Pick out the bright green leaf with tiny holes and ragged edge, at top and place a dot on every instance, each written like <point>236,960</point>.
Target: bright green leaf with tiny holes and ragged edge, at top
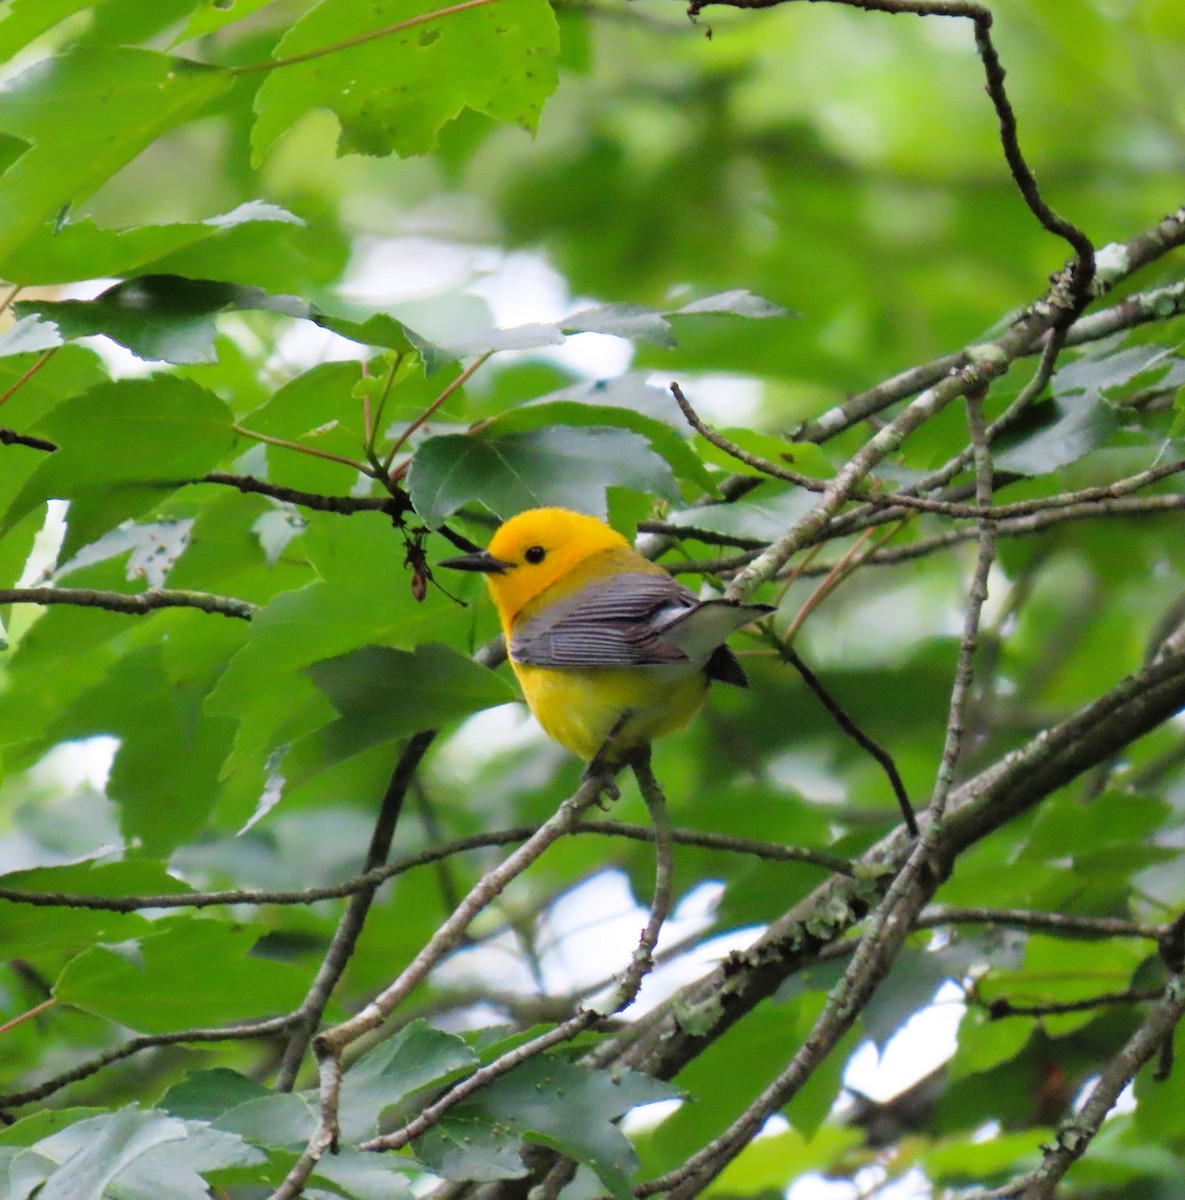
<point>396,93</point>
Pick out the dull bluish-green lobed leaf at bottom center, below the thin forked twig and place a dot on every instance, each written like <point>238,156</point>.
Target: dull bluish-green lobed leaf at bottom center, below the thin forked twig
<point>550,1102</point>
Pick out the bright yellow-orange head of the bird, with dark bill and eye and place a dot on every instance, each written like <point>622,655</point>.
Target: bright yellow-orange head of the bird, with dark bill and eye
<point>532,551</point>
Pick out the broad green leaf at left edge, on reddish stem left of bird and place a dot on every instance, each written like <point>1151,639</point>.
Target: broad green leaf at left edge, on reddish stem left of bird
<point>122,447</point>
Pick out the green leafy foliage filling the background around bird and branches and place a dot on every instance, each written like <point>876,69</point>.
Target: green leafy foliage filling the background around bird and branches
<point>777,208</point>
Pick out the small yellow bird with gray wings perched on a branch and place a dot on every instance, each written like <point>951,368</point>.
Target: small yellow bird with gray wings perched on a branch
<point>603,641</point>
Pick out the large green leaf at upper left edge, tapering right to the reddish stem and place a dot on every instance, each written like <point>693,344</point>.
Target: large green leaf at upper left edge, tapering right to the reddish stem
<point>85,116</point>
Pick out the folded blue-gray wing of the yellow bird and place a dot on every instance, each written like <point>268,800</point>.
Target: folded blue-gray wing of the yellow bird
<point>617,623</point>
